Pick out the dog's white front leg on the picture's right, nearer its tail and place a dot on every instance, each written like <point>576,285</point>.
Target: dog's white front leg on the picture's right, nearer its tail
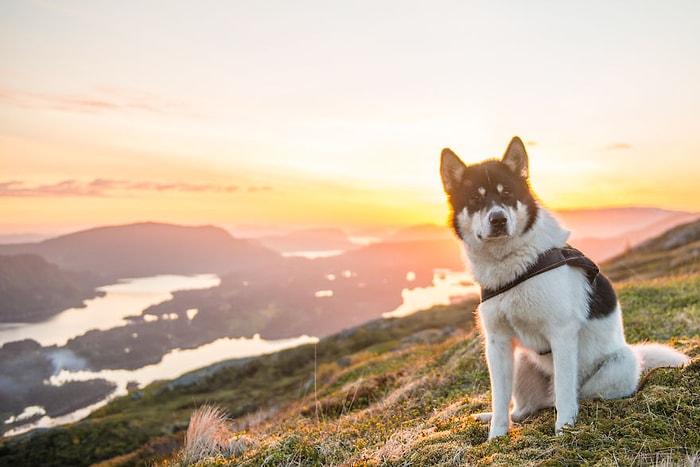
<point>565,355</point>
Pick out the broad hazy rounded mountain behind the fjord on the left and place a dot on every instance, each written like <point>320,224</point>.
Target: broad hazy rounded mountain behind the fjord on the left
<point>147,249</point>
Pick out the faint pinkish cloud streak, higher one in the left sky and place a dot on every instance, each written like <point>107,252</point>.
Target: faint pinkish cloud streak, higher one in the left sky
<point>99,101</point>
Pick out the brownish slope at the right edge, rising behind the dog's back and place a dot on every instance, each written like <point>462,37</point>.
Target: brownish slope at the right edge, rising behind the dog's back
<point>677,251</point>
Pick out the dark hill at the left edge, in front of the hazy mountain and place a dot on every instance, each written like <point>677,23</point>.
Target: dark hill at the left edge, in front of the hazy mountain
<point>32,289</point>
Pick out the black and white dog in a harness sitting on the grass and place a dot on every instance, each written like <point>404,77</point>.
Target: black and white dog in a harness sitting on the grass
<point>551,322</point>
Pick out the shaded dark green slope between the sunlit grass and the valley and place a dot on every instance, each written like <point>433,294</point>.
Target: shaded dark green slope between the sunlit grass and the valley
<point>150,423</point>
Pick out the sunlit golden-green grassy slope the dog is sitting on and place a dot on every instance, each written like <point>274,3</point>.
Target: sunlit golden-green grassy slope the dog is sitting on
<point>409,403</point>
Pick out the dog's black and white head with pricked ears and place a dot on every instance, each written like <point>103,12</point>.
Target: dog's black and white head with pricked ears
<point>491,201</point>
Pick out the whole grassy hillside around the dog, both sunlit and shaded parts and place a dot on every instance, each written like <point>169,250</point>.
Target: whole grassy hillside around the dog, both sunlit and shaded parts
<point>391,393</point>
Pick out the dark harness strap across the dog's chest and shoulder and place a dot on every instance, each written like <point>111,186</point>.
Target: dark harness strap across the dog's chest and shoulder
<point>550,259</point>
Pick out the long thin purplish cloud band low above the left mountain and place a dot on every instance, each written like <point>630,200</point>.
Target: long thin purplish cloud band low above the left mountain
<point>102,187</point>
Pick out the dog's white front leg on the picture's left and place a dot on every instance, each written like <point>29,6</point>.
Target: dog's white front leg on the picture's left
<point>499,356</point>
